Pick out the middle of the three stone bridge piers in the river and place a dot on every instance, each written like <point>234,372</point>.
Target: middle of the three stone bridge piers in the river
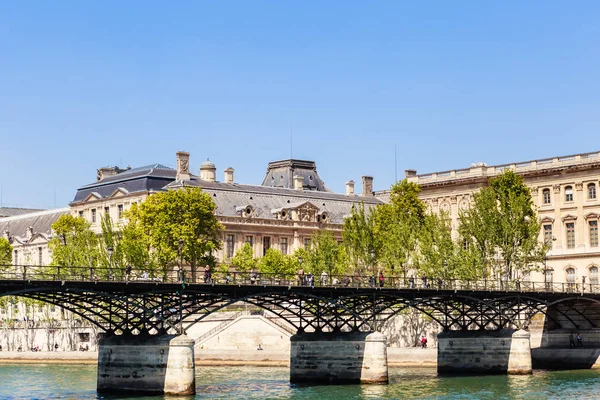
<point>339,358</point>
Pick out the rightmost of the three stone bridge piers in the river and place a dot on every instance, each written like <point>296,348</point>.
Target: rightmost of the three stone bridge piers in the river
<point>505,351</point>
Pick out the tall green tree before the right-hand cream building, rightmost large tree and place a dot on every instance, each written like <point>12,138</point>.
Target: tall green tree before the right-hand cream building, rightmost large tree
<point>502,227</point>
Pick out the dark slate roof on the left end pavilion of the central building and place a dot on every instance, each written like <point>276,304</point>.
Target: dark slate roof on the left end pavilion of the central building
<point>149,178</point>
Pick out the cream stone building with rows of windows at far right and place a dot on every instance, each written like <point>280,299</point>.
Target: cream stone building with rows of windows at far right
<point>565,194</point>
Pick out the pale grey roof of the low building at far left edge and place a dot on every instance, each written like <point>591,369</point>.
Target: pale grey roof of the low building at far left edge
<point>41,222</point>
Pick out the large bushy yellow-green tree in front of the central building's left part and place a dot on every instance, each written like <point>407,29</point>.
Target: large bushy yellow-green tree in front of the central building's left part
<point>166,218</point>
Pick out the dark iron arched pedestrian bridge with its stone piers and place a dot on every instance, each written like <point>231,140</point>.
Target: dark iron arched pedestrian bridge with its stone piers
<point>337,318</point>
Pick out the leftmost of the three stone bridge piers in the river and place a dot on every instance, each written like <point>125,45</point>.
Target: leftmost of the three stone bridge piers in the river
<point>147,364</point>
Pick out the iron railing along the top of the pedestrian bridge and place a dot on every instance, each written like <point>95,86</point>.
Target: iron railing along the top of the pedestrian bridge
<point>98,275</point>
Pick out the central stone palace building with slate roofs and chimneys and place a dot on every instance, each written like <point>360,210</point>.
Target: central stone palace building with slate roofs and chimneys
<point>282,213</point>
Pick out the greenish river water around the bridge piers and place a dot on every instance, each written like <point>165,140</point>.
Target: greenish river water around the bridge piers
<point>53,381</point>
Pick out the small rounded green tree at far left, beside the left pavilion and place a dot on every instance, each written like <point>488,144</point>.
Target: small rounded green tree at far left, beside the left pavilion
<point>74,244</point>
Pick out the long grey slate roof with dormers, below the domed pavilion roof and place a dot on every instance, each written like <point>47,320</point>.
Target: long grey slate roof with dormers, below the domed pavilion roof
<point>231,198</point>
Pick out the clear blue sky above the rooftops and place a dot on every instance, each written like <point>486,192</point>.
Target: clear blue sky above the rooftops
<point>90,84</point>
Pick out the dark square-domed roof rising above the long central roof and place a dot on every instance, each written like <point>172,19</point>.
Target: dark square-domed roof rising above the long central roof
<point>280,174</point>
